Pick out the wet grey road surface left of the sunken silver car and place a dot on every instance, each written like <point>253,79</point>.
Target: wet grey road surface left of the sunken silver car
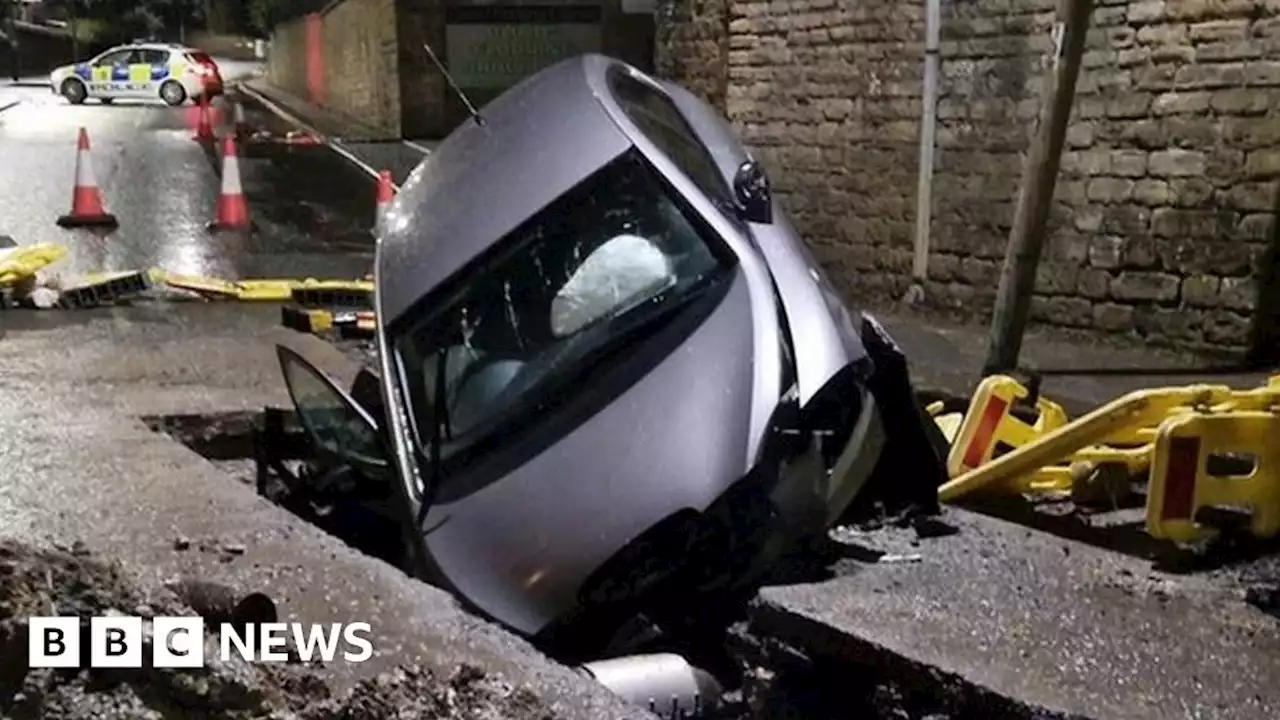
<point>81,464</point>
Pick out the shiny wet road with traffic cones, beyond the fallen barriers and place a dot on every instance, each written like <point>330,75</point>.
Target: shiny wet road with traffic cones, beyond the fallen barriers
<point>310,209</point>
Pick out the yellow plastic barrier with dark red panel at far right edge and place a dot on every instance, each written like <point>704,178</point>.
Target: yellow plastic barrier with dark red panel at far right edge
<point>1182,482</point>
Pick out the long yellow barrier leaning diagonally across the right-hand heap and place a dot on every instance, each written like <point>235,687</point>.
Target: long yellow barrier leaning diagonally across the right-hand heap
<point>1119,418</point>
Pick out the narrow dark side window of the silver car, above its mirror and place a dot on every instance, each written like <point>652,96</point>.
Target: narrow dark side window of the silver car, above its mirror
<point>661,122</point>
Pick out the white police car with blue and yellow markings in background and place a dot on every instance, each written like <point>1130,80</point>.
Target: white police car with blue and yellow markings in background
<point>139,72</point>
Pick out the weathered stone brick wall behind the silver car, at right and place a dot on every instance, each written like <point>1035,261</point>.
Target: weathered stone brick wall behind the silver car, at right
<point>1167,200</point>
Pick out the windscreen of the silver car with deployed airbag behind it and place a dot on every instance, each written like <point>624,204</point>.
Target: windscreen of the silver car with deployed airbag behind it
<point>565,293</point>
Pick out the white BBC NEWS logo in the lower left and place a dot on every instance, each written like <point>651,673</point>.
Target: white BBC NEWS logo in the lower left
<point>180,642</point>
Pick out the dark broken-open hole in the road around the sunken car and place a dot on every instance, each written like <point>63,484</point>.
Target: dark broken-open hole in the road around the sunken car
<point>764,678</point>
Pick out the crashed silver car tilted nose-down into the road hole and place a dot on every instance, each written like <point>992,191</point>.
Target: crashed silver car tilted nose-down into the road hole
<point>614,380</point>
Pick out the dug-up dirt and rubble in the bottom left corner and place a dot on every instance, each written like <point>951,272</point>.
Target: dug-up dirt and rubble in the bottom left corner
<point>72,582</point>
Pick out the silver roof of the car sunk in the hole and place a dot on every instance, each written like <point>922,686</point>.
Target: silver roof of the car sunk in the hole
<point>540,140</point>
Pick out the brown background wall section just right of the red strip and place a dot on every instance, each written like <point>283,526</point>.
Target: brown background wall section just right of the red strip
<point>362,74</point>
